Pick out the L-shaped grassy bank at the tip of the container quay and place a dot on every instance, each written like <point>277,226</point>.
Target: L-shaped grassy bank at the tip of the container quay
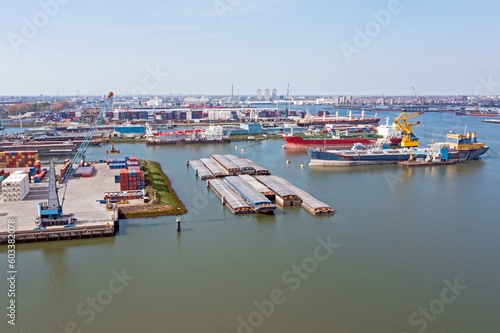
<point>167,202</point>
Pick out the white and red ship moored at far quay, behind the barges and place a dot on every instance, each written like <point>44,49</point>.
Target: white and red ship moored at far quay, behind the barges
<point>213,134</point>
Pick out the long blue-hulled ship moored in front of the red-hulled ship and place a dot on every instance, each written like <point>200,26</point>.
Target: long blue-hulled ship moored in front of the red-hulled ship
<point>457,148</point>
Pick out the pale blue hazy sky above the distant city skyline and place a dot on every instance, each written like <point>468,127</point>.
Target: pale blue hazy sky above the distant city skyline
<point>203,47</point>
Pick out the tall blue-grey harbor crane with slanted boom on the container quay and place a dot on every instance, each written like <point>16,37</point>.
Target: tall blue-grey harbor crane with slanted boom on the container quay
<point>51,212</point>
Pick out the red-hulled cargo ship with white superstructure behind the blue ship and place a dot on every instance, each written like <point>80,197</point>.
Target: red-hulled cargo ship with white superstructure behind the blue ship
<point>367,136</point>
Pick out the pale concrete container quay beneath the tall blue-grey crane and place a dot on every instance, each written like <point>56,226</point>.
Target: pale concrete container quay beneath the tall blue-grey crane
<point>92,218</point>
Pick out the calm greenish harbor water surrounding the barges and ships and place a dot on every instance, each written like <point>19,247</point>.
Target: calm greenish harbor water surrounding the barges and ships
<point>398,234</point>
